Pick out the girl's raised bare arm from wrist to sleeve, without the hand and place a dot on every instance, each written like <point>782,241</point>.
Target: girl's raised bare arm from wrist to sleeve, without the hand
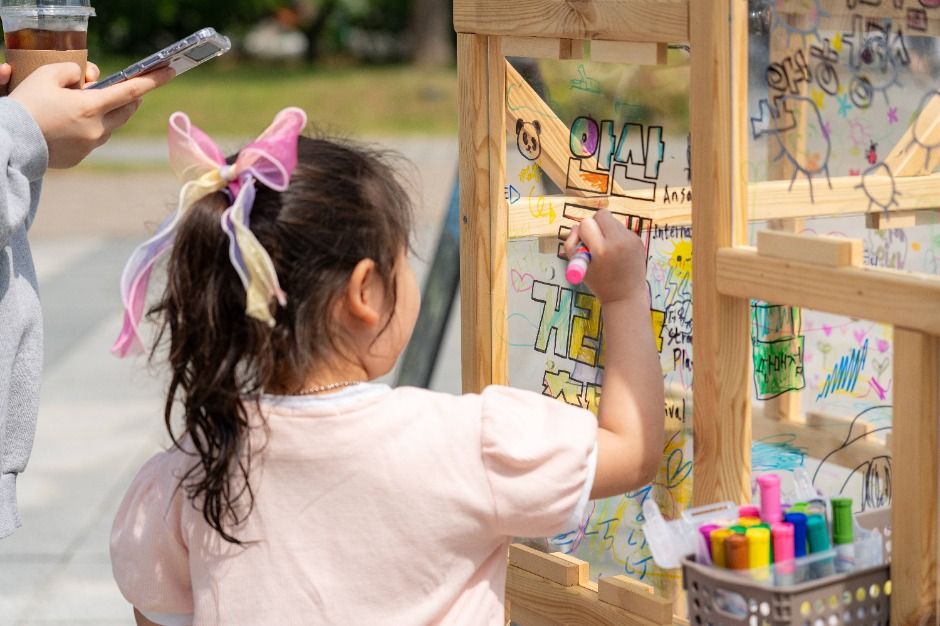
<point>631,409</point>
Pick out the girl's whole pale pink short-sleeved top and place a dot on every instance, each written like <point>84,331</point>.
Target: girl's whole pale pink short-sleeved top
<point>378,506</point>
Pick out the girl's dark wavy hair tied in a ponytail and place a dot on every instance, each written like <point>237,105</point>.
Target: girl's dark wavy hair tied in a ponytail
<point>344,204</point>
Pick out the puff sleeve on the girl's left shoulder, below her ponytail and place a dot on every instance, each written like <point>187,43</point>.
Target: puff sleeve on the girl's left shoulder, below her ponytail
<point>149,553</point>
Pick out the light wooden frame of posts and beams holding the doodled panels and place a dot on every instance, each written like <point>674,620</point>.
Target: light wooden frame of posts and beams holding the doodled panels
<point>726,274</point>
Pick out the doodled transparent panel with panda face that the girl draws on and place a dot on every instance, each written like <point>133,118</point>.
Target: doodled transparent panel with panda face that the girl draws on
<point>612,136</point>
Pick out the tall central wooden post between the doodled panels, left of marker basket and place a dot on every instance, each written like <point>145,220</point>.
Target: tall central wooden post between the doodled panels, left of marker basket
<point>719,218</point>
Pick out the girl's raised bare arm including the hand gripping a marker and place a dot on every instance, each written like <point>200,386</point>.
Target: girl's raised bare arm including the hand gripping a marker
<point>631,422</point>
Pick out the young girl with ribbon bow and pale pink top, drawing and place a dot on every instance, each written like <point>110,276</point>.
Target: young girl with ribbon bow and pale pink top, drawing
<point>298,492</point>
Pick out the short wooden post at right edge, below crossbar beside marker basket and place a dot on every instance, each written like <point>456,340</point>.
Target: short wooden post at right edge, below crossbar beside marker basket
<point>916,468</point>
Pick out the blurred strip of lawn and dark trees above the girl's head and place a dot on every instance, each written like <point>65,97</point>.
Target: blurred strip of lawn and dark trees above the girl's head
<point>351,64</point>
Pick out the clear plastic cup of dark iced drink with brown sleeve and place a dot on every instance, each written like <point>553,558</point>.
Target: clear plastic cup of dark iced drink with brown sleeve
<point>39,32</point>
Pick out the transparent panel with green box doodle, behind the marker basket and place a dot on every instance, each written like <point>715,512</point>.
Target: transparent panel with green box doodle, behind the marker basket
<point>822,387</point>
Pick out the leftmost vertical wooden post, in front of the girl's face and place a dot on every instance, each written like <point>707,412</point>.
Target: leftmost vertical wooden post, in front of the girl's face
<point>484,221</point>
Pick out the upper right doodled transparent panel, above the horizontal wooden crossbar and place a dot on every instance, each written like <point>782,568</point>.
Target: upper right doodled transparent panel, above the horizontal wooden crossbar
<point>842,102</point>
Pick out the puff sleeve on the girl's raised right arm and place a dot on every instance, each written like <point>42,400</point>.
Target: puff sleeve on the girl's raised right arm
<point>539,455</point>
